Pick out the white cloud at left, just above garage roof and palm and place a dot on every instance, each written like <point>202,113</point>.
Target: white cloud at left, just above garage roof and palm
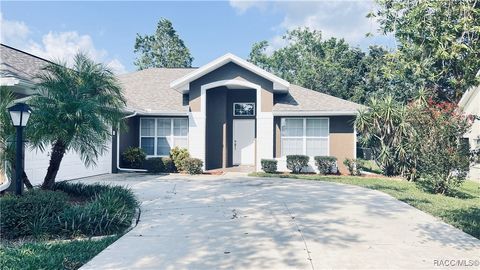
<point>57,45</point>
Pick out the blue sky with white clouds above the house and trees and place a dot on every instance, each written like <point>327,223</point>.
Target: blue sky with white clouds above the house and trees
<point>107,30</point>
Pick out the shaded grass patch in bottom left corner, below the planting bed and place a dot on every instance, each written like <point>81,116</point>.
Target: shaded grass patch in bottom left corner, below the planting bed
<point>53,255</point>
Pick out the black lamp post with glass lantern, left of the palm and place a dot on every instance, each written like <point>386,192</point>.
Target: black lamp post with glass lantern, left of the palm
<point>19,113</point>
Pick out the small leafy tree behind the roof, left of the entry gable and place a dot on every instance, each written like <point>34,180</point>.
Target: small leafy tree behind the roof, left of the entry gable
<point>162,49</point>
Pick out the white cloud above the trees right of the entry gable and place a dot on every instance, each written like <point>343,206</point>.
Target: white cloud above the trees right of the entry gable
<point>341,19</point>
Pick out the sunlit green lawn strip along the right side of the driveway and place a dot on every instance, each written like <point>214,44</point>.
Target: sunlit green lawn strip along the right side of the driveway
<point>461,209</point>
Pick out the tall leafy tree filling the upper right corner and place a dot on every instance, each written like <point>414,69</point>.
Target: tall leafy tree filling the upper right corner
<point>438,43</point>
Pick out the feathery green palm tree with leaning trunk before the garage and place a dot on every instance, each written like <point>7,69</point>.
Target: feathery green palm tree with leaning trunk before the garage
<point>75,110</point>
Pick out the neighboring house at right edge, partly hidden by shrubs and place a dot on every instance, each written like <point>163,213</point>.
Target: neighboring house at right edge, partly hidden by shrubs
<point>470,104</point>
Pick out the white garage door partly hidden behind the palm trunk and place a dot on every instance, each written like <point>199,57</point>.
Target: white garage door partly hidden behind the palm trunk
<point>72,167</point>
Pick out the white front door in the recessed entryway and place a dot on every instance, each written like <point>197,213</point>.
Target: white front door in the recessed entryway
<point>243,142</point>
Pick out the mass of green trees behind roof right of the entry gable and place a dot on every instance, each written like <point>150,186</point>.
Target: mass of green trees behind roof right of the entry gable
<point>331,66</point>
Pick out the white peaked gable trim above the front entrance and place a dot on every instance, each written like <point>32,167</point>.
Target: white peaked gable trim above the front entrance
<point>182,84</point>
